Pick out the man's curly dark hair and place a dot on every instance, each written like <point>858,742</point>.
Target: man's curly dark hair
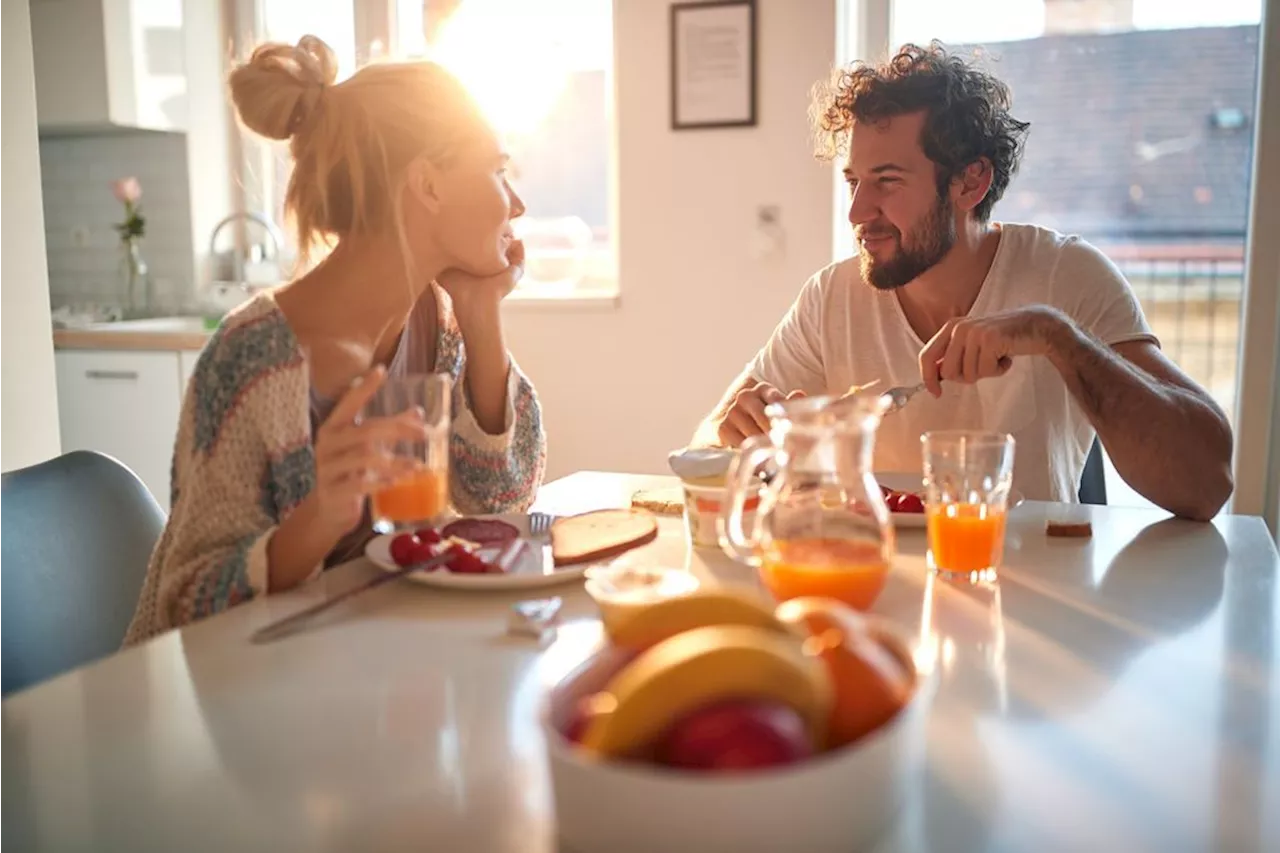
<point>967,113</point>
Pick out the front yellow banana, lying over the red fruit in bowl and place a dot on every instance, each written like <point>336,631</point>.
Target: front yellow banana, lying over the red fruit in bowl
<point>702,667</point>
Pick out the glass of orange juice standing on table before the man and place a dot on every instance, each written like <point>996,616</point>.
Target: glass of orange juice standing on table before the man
<point>967,481</point>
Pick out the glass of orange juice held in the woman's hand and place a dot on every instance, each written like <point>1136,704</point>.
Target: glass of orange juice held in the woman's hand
<point>423,496</point>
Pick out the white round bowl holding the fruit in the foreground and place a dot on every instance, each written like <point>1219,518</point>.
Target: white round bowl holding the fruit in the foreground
<point>838,802</point>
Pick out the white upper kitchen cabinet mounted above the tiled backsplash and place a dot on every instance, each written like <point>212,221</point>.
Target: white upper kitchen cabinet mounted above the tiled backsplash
<point>109,63</point>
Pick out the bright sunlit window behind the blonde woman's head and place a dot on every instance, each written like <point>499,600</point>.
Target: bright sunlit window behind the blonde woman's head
<point>543,75</point>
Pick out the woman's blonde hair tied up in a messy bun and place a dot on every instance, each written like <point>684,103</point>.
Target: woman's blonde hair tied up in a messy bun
<point>353,142</point>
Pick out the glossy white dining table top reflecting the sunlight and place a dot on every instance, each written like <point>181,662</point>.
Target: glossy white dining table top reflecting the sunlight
<point>1118,695</point>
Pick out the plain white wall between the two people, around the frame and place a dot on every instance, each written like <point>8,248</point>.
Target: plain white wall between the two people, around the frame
<point>624,385</point>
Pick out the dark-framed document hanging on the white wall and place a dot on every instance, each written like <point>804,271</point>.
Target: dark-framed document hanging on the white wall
<point>714,57</point>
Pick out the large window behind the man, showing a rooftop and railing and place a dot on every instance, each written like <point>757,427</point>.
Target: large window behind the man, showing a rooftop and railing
<point>1141,142</point>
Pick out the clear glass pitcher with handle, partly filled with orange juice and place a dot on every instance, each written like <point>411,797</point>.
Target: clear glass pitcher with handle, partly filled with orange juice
<point>822,527</point>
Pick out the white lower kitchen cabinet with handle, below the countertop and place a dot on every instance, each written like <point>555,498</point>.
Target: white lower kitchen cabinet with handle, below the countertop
<point>125,404</point>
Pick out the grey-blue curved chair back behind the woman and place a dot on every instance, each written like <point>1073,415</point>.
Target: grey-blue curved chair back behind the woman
<point>76,535</point>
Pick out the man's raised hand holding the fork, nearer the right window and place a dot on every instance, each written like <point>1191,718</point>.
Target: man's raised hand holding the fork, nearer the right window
<point>972,349</point>
